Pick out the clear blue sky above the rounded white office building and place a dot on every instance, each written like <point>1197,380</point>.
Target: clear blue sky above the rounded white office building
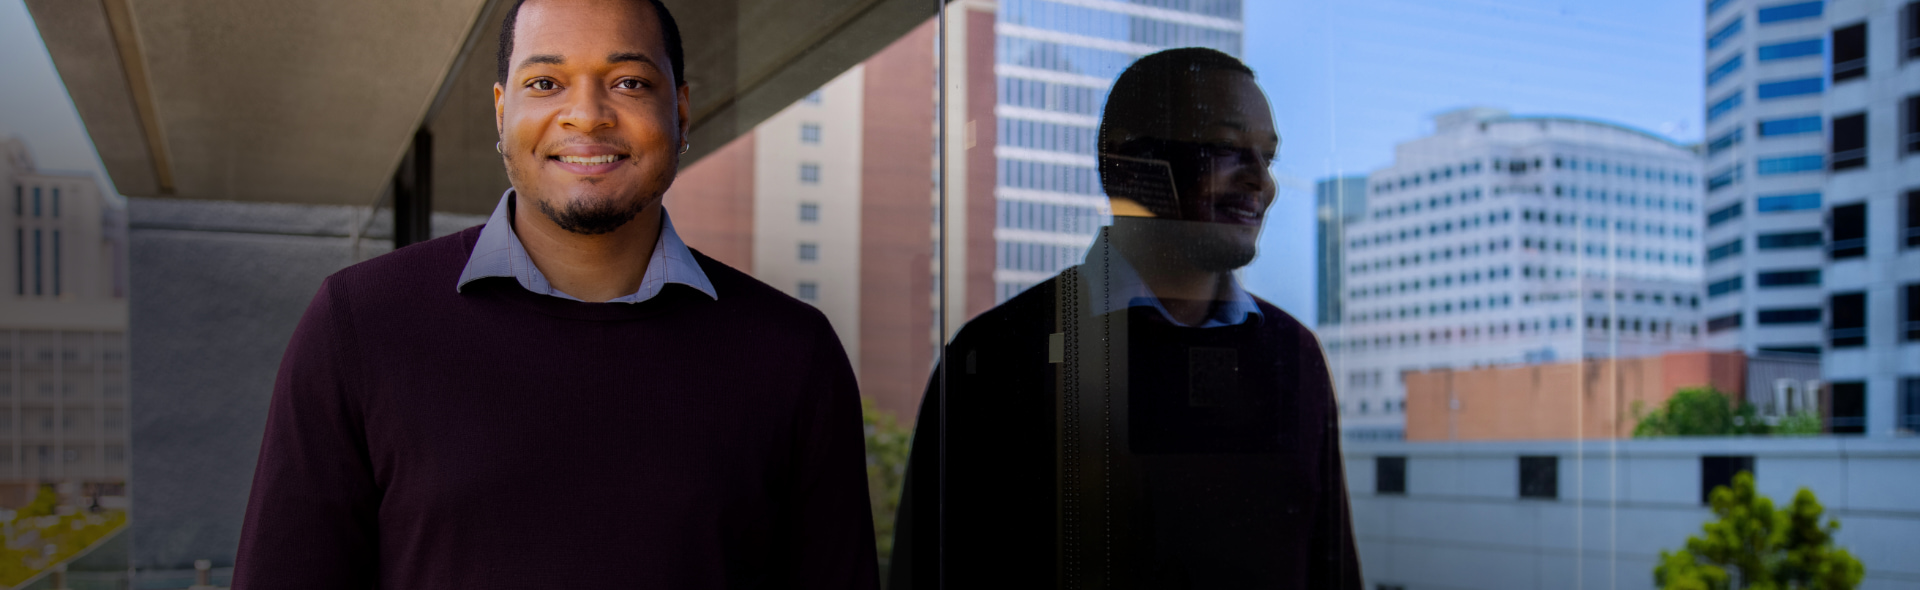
<point>1349,80</point>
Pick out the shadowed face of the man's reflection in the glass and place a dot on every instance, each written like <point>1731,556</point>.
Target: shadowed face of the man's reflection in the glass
<point>1220,149</point>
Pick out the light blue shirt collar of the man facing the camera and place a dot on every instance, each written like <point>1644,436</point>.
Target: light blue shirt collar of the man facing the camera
<point>498,253</point>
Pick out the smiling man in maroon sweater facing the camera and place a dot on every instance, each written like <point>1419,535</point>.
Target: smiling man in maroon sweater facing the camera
<point>565,397</point>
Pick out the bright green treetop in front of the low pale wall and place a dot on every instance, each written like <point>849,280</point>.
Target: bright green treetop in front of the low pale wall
<point>1758,547</point>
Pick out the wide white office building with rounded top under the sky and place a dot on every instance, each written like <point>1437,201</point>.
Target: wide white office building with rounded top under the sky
<point>1514,241</point>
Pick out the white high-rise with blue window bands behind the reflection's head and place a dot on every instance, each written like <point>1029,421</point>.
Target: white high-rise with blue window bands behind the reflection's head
<point>1055,62</point>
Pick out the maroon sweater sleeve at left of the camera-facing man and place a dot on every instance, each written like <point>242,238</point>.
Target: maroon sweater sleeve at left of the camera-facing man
<point>310,518</point>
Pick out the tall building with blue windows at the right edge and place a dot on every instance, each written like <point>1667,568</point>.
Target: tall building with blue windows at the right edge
<point>1813,195</point>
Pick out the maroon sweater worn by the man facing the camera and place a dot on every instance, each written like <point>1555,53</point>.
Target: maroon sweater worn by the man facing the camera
<point>498,439</point>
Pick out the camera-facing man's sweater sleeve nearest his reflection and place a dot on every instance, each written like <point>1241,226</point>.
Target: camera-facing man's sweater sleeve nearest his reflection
<point>832,539</point>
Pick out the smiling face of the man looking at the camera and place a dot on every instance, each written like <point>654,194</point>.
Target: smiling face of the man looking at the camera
<point>590,118</point>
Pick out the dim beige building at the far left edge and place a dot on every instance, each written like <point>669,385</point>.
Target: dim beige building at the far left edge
<point>62,335</point>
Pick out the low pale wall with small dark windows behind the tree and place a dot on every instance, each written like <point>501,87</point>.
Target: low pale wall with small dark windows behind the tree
<point>1464,526</point>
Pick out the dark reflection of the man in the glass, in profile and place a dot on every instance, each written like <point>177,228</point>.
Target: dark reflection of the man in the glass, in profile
<point>1141,422</point>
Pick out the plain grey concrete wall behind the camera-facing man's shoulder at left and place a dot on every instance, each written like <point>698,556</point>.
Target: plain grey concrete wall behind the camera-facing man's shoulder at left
<point>216,293</point>
